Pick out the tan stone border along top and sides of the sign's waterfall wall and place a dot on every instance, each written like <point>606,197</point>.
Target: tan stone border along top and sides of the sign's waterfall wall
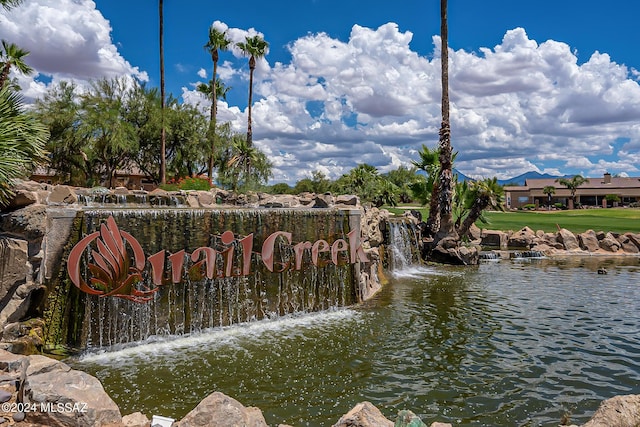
<point>38,222</point>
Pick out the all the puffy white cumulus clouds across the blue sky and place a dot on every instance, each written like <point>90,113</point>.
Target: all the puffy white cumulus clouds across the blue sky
<point>519,106</point>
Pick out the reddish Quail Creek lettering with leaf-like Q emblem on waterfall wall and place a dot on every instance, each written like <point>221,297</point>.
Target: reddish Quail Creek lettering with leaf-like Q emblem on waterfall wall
<point>117,263</point>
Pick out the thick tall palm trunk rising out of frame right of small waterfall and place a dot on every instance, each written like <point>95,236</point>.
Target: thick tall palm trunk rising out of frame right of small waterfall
<point>445,192</point>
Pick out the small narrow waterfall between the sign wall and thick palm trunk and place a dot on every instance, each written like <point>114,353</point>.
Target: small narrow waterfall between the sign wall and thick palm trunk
<point>403,244</point>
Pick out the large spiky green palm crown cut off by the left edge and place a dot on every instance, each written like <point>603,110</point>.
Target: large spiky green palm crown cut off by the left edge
<point>22,142</point>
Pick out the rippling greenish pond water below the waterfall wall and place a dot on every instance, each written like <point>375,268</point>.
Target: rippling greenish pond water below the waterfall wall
<point>506,343</point>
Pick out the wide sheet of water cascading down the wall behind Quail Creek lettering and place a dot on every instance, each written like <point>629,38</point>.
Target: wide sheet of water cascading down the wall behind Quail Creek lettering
<point>236,284</point>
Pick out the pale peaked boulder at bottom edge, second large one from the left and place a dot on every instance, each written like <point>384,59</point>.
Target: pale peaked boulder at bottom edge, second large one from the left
<point>218,409</point>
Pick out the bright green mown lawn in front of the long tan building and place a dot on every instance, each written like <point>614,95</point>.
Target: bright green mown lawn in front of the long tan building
<point>618,220</point>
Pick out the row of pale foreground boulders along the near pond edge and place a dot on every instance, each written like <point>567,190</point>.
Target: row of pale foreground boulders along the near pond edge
<point>39,391</point>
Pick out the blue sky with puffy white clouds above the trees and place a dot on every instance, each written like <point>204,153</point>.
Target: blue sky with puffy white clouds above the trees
<point>547,86</point>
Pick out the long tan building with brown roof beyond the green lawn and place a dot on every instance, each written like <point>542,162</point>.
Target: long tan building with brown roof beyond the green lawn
<point>597,192</point>
